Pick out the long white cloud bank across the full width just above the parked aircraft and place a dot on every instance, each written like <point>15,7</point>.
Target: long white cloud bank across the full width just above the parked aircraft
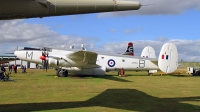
<point>17,33</point>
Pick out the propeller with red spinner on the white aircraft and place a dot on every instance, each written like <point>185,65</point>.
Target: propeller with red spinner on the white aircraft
<point>44,58</point>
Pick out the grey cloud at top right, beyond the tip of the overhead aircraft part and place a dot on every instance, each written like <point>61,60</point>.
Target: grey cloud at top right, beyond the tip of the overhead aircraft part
<point>172,7</point>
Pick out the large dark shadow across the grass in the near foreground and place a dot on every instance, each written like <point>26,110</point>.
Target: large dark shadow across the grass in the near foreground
<point>125,99</point>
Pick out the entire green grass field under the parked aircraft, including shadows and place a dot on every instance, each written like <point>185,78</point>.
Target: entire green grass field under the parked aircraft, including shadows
<point>41,91</point>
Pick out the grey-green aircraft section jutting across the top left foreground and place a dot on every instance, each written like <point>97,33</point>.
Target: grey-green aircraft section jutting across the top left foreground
<point>17,9</point>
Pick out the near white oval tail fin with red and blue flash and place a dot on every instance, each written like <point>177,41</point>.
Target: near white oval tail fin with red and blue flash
<point>168,58</point>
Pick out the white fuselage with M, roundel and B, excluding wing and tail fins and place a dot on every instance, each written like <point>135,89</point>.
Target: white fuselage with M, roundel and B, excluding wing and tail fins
<point>110,62</point>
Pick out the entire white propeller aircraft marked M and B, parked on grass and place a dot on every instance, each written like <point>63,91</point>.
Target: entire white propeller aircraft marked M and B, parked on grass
<point>92,63</point>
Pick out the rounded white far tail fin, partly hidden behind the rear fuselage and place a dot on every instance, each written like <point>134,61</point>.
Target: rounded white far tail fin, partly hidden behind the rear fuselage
<point>148,52</point>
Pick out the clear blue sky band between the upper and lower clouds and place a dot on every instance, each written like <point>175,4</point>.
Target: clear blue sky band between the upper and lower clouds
<point>139,27</point>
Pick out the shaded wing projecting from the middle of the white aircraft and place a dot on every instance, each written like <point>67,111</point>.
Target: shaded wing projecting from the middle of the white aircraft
<point>88,58</point>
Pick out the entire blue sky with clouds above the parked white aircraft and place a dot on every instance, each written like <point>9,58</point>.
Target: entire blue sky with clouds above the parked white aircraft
<point>161,21</point>
